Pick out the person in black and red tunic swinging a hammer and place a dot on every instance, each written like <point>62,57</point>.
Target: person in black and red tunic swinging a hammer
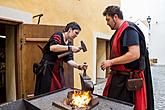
<point>50,76</point>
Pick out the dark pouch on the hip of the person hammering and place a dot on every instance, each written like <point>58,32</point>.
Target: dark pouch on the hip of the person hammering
<point>38,68</point>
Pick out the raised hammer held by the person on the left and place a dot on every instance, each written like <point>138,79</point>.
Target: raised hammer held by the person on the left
<point>83,47</point>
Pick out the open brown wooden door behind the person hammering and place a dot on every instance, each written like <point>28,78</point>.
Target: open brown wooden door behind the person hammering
<point>33,35</point>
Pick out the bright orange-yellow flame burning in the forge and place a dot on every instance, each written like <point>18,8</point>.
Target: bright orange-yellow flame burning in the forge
<point>81,98</point>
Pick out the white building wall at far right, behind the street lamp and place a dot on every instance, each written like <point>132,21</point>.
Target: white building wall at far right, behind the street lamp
<point>157,42</point>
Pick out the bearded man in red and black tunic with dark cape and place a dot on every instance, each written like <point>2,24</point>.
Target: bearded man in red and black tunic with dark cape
<point>128,54</point>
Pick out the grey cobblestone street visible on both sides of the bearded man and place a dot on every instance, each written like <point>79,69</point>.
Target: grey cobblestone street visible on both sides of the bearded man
<point>158,77</point>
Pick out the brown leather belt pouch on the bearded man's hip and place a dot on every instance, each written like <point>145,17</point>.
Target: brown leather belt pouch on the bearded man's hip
<point>134,84</point>
